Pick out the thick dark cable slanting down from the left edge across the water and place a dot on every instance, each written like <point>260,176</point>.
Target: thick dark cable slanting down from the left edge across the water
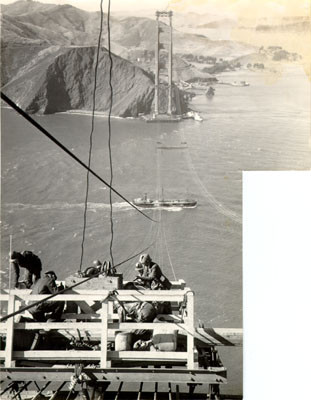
<point>66,150</point>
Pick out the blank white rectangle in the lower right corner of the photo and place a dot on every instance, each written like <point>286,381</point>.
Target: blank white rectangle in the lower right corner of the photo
<point>277,285</point>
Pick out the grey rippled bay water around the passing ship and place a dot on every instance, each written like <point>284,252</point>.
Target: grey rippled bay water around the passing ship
<point>264,126</point>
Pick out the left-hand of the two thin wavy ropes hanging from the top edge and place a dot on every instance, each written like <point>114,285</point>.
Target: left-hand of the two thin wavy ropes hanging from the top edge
<point>91,136</point>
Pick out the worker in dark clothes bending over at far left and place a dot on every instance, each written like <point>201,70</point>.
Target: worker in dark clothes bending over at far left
<point>29,261</point>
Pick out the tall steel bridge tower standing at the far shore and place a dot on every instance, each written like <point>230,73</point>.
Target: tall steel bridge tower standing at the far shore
<point>159,47</point>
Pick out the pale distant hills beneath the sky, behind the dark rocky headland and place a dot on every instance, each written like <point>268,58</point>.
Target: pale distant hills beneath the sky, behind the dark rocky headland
<point>67,25</point>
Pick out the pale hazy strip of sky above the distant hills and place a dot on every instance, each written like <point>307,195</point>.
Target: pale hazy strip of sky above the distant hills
<point>238,8</point>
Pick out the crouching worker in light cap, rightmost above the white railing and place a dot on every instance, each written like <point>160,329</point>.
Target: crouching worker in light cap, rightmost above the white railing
<point>152,275</point>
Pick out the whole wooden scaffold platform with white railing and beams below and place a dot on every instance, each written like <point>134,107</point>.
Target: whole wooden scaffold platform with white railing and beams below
<point>80,355</point>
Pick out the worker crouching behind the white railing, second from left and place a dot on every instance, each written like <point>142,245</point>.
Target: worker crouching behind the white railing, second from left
<point>50,310</point>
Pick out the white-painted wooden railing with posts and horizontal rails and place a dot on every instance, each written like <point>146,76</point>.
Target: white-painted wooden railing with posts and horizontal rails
<point>103,323</point>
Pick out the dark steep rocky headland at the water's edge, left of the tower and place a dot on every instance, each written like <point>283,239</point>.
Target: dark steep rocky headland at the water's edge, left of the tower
<point>66,83</point>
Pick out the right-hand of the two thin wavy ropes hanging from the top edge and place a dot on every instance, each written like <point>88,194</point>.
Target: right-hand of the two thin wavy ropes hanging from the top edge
<point>109,133</point>
